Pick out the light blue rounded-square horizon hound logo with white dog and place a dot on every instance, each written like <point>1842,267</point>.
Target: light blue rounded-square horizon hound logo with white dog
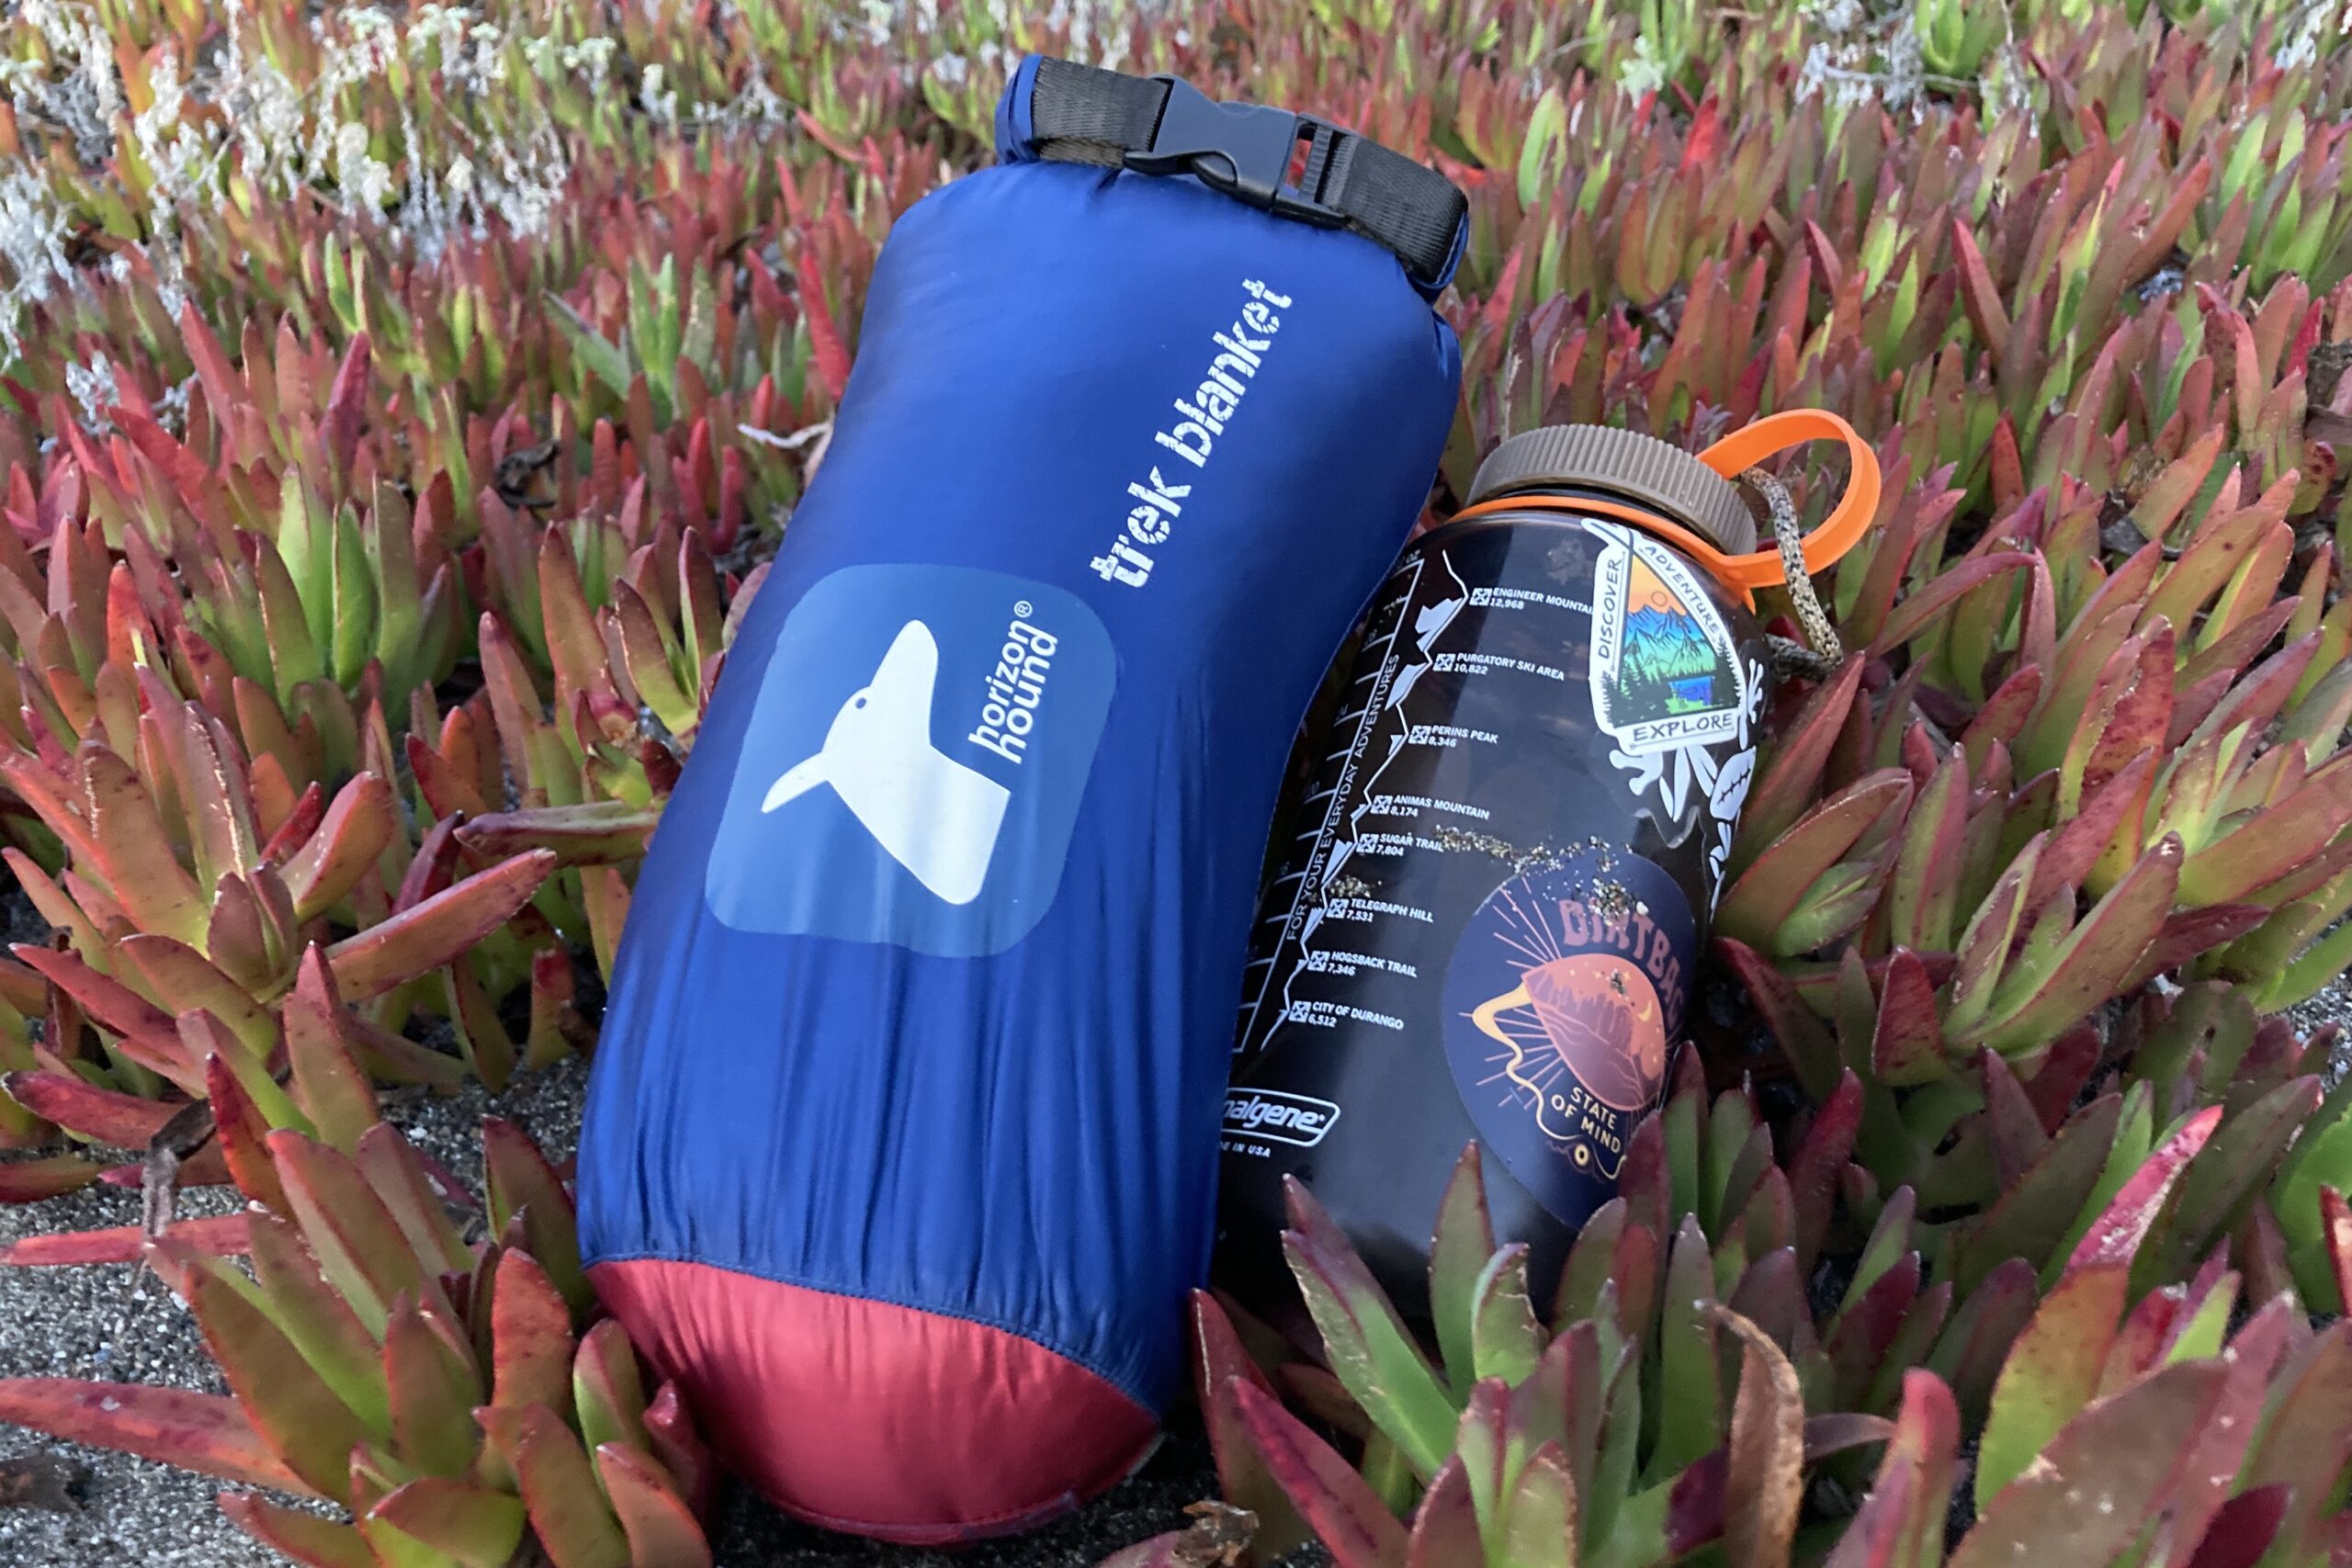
<point>914,763</point>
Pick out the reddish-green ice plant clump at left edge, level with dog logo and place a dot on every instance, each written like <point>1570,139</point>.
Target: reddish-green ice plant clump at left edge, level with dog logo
<point>168,965</point>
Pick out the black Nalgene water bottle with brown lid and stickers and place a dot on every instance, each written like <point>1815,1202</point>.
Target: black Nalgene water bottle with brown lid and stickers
<point>1490,920</point>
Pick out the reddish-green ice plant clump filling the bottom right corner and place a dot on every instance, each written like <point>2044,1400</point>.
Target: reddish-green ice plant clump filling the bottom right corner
<point>2221,1430</point>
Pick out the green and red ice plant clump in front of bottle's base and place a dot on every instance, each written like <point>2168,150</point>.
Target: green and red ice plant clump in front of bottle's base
<point>1612,1435</point>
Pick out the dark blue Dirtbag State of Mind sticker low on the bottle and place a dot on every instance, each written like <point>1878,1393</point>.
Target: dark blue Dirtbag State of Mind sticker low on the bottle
<point>1563,1003</point>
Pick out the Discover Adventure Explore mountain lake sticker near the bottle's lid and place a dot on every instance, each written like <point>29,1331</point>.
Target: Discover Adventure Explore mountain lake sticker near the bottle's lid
<point>1664,666</point>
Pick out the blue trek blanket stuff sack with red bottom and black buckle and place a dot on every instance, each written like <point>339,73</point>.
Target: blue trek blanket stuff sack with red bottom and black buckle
<point>902,1137</point>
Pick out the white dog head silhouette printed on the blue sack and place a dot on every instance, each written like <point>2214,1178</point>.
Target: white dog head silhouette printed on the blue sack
<point>928,812</point>
